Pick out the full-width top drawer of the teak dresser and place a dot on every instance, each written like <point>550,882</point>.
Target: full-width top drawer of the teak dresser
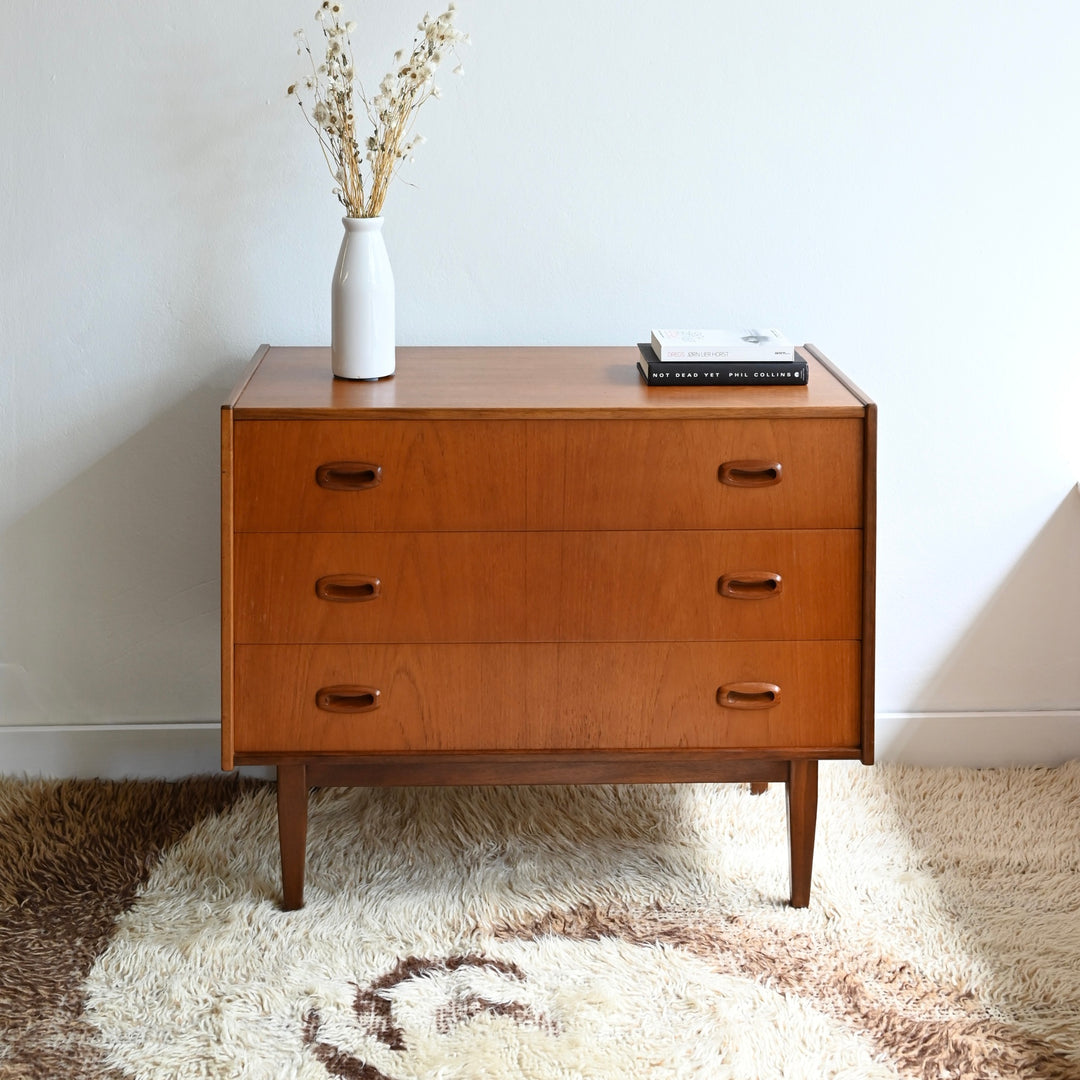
<point>450,476</point>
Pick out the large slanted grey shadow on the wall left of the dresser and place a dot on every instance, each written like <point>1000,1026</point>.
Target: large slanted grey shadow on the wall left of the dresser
<point>111,595</point>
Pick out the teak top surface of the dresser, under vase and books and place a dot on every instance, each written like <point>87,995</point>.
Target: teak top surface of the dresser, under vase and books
<point>485,383</point>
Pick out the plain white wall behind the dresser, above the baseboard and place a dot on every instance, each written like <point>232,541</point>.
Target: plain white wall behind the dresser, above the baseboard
<point>896,184</point>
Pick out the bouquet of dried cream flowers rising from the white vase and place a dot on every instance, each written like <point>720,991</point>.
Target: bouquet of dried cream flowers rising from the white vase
<point>333,91</point>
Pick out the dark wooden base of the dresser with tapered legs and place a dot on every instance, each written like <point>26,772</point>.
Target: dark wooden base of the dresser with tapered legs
<point>299,774</point>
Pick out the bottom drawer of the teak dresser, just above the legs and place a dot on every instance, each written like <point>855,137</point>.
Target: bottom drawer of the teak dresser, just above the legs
<point>361,698</point>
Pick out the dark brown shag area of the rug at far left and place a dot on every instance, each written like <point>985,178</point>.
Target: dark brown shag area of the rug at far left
<point>73,855</point>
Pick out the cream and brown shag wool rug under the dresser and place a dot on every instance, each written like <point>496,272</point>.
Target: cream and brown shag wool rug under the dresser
<point>545,933</point>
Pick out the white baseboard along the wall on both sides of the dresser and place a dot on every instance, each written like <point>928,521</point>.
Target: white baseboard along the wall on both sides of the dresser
<point>172,751</point>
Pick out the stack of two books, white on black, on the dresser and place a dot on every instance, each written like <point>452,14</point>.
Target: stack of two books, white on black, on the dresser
<point>721,359</point>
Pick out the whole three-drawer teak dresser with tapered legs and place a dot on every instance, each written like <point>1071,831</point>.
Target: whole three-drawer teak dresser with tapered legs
<point>526,566</point>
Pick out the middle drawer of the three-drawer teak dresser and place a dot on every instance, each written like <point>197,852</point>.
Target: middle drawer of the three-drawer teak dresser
<point>548,587</point>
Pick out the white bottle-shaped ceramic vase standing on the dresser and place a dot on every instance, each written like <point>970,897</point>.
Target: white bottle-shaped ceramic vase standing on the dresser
<point>362,304</point>
